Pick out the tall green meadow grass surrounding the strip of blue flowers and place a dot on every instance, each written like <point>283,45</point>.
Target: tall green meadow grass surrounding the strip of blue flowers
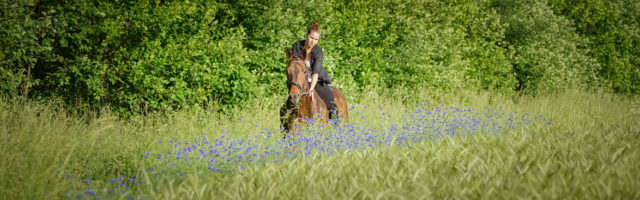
<point>591,151</point>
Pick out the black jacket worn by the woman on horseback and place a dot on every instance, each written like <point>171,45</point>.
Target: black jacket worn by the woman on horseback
<point>316,60</point>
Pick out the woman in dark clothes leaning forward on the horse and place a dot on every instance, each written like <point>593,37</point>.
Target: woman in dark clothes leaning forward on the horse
<point>316,74</point>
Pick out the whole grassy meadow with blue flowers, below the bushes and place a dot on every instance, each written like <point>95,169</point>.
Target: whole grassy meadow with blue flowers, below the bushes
<point>567,145</point>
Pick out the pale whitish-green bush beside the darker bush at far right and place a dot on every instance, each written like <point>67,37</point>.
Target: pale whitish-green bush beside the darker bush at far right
<point>543,48</point>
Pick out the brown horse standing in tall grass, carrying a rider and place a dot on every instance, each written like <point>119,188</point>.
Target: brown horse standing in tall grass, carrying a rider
<point>299,108</point>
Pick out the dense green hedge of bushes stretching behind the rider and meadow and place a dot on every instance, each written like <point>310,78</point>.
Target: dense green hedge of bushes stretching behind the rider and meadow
<point>141,56</point>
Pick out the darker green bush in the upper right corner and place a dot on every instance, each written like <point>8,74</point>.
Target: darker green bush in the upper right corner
<point>612,32</point>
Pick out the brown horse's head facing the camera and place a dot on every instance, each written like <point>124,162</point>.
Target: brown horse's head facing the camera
<point>296,77</point>
